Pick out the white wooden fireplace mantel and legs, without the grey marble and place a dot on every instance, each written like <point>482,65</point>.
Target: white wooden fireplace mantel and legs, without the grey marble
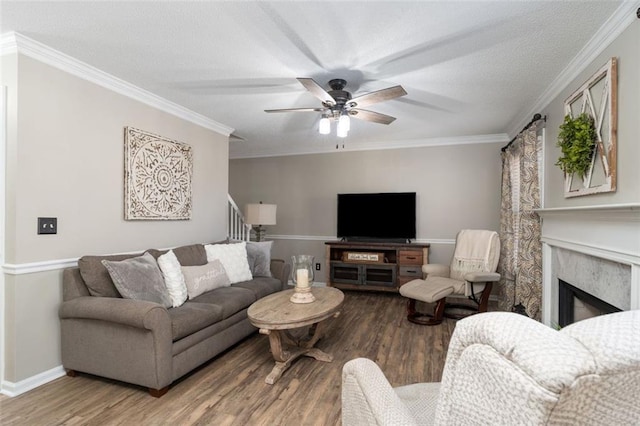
<point>610,232</point>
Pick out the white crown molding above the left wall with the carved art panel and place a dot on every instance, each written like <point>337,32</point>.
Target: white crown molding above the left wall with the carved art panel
<point>16,42</point>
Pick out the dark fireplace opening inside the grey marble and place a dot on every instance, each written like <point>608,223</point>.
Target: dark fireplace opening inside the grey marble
<point>575,304</point>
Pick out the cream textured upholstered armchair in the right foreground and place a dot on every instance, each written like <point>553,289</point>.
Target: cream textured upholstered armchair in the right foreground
<point>503,368</point>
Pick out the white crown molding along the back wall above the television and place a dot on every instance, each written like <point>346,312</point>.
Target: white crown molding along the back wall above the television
<point>381,145</point>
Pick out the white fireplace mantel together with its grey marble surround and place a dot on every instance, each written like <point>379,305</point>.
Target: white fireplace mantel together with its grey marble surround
<point>594,248</point>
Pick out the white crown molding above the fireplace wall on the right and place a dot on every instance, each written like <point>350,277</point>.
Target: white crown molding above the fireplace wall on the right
<point>608,32</point>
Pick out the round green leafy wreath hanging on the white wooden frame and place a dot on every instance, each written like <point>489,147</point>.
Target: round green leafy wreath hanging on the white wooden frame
<point>577,139</point>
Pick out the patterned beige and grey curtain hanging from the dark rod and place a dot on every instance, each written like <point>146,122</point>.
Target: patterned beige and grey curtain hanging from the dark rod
<point>521,249</point>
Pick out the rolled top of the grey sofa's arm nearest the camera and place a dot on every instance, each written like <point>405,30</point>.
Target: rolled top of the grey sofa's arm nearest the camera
<point>134,313</point>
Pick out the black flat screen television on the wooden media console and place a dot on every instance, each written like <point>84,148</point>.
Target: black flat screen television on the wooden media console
<point>387,216</point>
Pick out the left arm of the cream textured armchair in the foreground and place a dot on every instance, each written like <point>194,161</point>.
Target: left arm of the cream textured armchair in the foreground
<point>368,398</point>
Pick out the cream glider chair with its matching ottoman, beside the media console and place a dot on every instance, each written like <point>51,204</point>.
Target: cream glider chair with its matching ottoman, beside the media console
<point>471,273</point>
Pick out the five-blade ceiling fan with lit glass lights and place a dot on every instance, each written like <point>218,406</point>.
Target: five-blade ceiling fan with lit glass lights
<point>338,104</point>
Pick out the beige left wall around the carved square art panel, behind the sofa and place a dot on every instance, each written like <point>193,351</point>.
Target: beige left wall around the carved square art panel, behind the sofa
<point>65,158</point>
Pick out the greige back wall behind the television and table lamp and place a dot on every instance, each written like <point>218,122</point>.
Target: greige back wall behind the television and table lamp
<point>457,187</point>
